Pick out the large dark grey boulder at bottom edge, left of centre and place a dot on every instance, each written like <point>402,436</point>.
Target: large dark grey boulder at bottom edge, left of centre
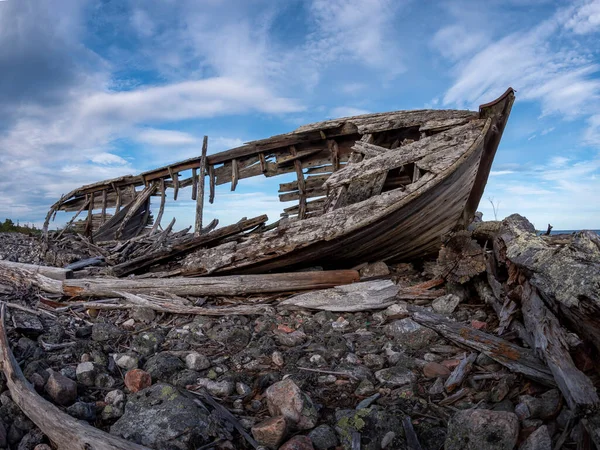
<point>160,417</point>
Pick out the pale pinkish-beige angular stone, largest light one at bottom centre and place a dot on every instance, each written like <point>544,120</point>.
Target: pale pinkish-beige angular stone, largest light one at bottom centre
<point>285,398</point>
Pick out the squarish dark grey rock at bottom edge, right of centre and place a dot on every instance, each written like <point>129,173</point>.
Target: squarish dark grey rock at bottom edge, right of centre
<point>474,429</point>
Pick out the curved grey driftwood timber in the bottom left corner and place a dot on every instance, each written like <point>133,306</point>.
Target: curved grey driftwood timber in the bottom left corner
<point>65,432</point>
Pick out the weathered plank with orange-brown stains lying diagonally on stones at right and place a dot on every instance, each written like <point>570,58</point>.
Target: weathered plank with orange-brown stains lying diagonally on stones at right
<point>515,358</point>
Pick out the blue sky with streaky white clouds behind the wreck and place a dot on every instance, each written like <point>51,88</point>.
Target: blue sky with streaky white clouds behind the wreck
<point>95,89</point>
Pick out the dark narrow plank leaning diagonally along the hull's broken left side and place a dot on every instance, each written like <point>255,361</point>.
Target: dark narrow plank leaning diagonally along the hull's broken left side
<point>177,249</point>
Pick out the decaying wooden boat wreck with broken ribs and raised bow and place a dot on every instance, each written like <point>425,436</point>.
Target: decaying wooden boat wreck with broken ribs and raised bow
<point>373,187</point>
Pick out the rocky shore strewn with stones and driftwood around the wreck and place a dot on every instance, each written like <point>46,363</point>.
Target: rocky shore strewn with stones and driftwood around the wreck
<point>503,355</point>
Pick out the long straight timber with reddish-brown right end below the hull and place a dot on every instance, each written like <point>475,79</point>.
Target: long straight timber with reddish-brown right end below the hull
<point>225,285</point>
